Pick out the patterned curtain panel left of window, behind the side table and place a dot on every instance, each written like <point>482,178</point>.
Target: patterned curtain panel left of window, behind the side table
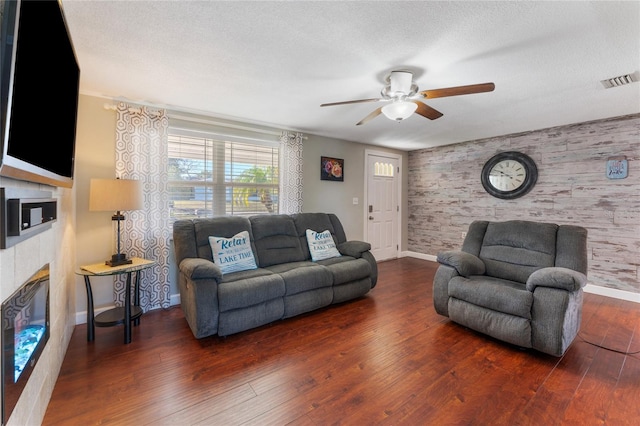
<point>141,153</point>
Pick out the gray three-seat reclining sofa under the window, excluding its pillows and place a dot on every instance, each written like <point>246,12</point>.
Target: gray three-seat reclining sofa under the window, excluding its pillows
<point>286,281</point>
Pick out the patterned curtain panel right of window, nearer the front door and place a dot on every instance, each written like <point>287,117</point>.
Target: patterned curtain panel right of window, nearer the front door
<point>291,166</point>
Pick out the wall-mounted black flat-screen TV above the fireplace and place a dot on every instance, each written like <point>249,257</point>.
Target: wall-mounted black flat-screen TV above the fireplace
<point>40,82</point>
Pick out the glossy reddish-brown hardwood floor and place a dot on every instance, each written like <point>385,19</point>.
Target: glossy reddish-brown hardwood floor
<point>387,358</point>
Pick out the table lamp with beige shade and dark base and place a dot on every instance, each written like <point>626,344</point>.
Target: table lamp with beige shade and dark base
<point>115,195</point>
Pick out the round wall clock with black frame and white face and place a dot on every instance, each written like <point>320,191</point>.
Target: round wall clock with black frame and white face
<point>509,175</point>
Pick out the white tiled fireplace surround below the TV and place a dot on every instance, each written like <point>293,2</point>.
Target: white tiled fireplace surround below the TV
<point>56,247</point>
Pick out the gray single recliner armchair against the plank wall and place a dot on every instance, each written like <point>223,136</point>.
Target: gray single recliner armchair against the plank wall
<point>518,281</point>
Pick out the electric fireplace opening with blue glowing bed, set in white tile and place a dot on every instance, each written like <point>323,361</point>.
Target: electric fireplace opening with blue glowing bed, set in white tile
<point>25,332</point>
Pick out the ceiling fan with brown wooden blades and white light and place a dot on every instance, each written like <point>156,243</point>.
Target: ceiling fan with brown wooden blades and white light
<point>402,93</point>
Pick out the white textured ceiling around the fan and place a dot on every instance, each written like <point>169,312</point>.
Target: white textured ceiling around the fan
<point>274,63</point>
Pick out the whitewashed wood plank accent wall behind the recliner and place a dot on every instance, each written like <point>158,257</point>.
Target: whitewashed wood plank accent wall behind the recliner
<point>445,194</point>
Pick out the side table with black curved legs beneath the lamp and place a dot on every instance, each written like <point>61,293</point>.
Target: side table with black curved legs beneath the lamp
<point>118,315</point>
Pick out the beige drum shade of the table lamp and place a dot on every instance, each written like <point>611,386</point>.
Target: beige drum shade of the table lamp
<point>115,195</point>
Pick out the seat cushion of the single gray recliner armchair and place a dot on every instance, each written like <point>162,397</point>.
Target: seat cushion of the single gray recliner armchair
<point>493,293</point>
